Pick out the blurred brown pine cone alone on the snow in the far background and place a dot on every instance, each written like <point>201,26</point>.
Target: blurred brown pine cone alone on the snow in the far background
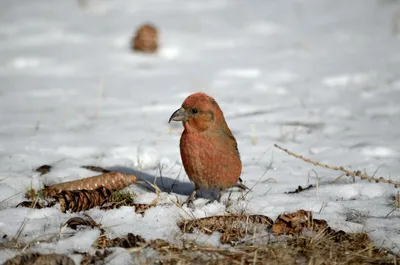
<point>145,39</point>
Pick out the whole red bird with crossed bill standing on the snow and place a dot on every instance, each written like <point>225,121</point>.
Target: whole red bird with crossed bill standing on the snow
<point>209,151</point>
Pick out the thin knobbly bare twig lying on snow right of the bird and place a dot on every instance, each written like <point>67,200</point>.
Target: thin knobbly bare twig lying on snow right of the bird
<point>342,169</point>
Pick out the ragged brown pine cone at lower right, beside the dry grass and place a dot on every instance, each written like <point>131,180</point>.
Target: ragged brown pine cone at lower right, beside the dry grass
<point>295,223</point>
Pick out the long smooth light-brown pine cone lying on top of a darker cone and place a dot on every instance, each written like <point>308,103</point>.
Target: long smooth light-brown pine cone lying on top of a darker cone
<point>111,181</point>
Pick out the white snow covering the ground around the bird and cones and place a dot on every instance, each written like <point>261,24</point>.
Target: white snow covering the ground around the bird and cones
<point>321,78</point>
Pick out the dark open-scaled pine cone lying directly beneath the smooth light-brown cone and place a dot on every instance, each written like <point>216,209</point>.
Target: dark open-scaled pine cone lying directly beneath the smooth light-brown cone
<point>82,200</point>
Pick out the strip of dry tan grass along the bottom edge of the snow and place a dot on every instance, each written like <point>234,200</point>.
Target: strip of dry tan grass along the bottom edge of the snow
<point>351,248</point>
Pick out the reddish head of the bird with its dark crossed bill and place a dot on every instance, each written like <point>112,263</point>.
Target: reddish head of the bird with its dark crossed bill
<point>198,113</point>
